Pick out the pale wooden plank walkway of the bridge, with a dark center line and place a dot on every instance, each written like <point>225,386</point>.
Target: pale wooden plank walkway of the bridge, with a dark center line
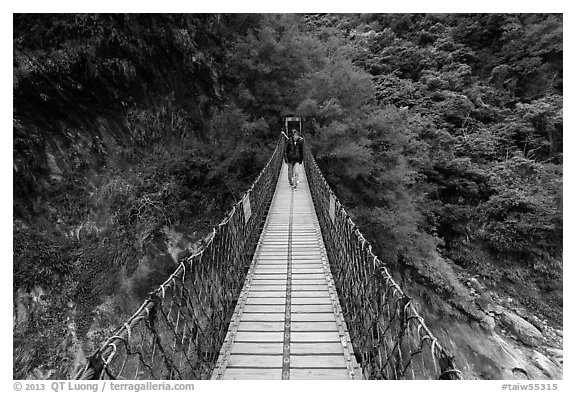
<point>288,322</point>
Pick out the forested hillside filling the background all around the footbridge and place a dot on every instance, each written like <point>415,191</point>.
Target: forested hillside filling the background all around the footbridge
<point>134,134</point>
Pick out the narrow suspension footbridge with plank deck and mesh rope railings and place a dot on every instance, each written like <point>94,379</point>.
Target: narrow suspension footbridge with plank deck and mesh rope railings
<point>285,288</point>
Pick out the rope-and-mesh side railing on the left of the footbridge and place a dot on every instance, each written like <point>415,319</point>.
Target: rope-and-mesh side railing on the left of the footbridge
<point>178,331</point>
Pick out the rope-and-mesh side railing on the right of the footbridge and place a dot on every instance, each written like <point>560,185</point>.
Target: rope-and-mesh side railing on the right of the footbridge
<point>390,339</point>
